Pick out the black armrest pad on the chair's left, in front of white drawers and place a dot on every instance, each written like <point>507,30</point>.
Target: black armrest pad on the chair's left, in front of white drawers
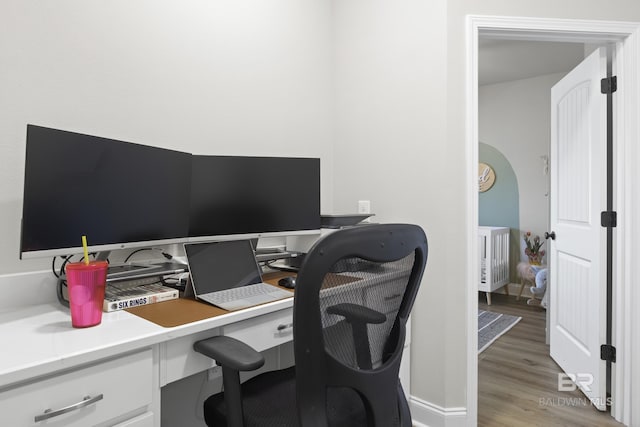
<point>230,353</point>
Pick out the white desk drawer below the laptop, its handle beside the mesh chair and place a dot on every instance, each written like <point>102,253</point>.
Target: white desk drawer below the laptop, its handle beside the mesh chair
<point>263,332</point>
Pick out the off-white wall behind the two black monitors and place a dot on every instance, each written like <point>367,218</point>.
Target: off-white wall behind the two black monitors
<point>210,77</point>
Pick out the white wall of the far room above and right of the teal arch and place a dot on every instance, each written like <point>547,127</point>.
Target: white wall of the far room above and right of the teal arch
<point>515,118</point>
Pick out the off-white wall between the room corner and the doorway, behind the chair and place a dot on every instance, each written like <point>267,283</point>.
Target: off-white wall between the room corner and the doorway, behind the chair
<point>391,147</point>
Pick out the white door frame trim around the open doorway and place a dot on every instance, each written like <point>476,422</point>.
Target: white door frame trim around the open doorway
<point>623,37</point>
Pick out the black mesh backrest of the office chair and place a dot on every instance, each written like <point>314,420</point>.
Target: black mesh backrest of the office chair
<point>354,293</point>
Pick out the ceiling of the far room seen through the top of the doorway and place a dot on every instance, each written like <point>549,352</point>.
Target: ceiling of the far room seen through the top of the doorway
<point>503,60</point>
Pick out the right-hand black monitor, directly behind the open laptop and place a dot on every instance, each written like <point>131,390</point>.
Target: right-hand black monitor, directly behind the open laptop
<point>239,195</point>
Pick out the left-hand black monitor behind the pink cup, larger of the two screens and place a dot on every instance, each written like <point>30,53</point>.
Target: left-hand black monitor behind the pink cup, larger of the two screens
<point>113,192</point>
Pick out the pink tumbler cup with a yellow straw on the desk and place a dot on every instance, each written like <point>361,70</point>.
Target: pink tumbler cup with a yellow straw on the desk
<point>85,285</point>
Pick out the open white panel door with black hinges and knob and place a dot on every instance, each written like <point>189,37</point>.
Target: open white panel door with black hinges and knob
<point>577,267</point>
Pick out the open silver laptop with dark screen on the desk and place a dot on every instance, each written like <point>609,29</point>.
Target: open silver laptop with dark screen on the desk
<point>227,275</point>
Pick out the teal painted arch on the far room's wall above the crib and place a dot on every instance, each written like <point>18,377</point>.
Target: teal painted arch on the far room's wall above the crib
<point>500,205</point>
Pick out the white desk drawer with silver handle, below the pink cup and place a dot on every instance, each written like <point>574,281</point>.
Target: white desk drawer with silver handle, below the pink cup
<point>101,392</point>
